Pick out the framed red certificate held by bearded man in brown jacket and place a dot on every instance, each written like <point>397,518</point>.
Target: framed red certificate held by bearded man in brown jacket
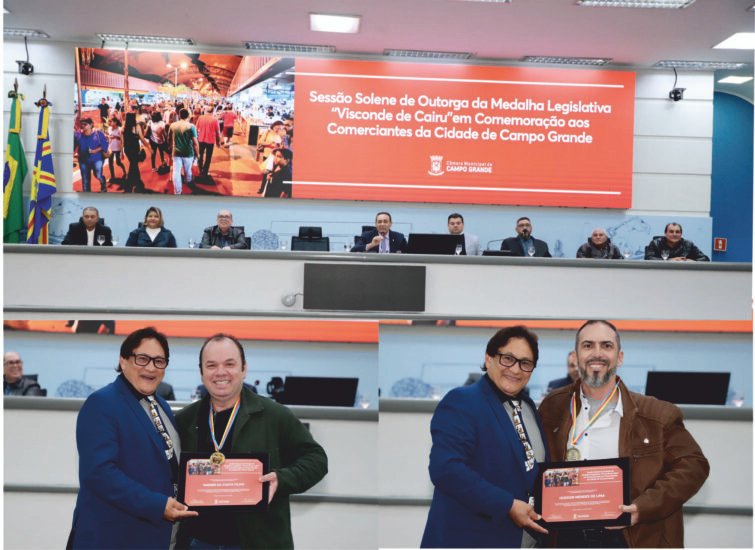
<point>583,494</point>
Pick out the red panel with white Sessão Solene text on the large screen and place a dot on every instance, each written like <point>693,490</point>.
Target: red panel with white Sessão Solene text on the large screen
<point>463,134</point>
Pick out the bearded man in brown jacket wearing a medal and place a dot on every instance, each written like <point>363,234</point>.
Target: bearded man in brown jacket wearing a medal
<point>667,465</point>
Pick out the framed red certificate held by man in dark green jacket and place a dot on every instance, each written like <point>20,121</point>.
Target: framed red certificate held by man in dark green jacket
<point>233,483</point>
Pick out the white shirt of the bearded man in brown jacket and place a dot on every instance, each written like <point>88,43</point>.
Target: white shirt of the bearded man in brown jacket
<point>602,438</point>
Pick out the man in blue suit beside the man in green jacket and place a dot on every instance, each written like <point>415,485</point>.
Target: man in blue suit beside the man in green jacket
<point>127,467</point>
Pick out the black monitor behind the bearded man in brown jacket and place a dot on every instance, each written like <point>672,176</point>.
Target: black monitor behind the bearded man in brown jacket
<point>690,388</point>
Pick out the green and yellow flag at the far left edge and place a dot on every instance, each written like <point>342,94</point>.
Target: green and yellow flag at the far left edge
<point>13,177</point>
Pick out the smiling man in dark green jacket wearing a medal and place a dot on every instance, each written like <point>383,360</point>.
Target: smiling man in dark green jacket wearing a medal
<point>232,419</point>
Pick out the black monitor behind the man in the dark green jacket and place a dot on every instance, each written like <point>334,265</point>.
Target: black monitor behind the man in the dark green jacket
<point>319,391</point>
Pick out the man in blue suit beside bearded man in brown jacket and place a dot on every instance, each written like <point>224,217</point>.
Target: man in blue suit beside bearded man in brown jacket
<point>483,470</point>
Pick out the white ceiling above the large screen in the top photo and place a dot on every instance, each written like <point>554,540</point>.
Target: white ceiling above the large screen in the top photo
<point>492,32</point>
